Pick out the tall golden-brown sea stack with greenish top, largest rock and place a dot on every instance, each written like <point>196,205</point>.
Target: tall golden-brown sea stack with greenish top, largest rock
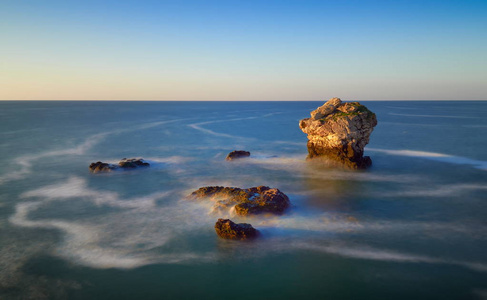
<point>338,133</point>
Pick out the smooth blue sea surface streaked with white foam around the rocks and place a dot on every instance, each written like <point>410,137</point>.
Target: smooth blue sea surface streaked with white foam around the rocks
<point>413,226</point>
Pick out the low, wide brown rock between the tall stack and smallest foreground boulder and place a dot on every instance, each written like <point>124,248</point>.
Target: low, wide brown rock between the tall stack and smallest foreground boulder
<point>251,201</point>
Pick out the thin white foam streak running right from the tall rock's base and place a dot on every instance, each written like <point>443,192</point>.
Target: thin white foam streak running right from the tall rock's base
<point>479,164</point>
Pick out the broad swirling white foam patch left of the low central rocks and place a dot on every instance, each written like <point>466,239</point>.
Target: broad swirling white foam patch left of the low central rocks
<point>122,239</point>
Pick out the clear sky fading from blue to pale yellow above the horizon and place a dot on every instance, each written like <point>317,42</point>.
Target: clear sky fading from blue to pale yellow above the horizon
<point>243,50</point>
